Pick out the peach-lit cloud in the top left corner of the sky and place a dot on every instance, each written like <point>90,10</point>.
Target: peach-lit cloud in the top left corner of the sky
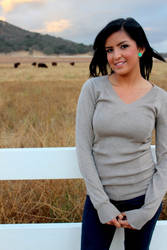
<point>9,5</point>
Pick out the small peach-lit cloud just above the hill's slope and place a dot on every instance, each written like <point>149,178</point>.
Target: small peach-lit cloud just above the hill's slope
<point>55,26</point>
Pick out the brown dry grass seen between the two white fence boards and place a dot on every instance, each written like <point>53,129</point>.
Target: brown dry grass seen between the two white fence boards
<point>43,201</point>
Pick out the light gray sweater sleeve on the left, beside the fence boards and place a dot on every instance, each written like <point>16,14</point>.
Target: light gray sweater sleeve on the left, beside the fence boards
<point>84,140</point>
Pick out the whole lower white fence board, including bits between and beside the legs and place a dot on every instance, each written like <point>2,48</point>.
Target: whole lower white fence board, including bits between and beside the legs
<point>64,236</point>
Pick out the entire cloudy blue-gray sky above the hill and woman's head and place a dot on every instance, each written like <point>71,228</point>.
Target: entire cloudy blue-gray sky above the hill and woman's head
<point>81,20</point>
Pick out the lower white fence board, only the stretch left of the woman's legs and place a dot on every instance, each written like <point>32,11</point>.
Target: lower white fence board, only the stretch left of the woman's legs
<point>60,236</point>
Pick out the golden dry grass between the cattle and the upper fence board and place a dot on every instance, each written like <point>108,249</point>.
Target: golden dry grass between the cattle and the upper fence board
<point>37,106</point>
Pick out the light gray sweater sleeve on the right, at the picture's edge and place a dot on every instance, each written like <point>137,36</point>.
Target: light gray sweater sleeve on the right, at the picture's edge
<point>158,185</point>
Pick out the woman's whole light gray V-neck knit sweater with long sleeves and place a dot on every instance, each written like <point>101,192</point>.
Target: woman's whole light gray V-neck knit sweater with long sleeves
<point>113,143</point>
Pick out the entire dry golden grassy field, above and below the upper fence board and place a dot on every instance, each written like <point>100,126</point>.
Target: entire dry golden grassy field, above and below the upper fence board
<point>37,109</point>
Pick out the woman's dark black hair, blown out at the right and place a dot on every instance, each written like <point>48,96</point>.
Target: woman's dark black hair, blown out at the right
<point>99,63</point>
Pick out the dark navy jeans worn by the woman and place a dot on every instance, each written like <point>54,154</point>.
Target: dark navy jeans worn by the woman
<point>98,236</point>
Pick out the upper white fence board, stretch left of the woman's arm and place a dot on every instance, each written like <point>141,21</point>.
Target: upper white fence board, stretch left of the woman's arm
<point>38,163</point>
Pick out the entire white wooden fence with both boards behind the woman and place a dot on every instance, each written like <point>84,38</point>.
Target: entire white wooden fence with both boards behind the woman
<point>52,163</point>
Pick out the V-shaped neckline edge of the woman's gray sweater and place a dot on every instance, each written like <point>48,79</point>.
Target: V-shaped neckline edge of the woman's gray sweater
<point>140,99</point>
